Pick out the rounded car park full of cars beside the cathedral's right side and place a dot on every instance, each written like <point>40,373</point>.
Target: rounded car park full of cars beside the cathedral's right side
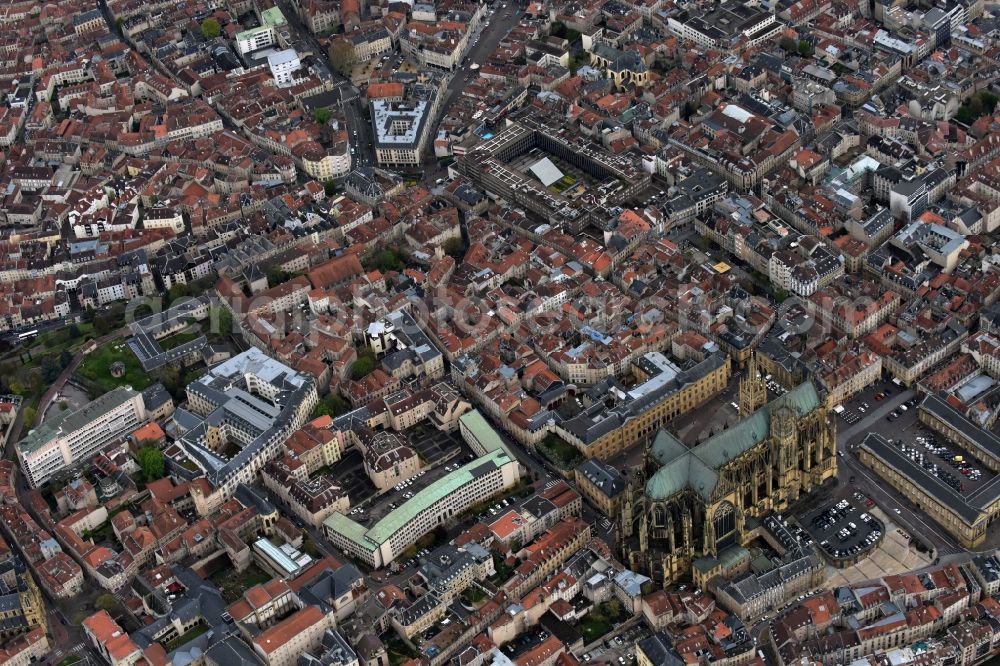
<point>844,530</point>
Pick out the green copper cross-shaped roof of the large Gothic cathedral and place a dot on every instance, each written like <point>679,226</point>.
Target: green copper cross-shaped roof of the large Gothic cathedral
<point>697,469</point>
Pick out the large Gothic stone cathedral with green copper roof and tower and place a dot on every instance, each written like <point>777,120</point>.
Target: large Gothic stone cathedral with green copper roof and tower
<point>688,507</point>
